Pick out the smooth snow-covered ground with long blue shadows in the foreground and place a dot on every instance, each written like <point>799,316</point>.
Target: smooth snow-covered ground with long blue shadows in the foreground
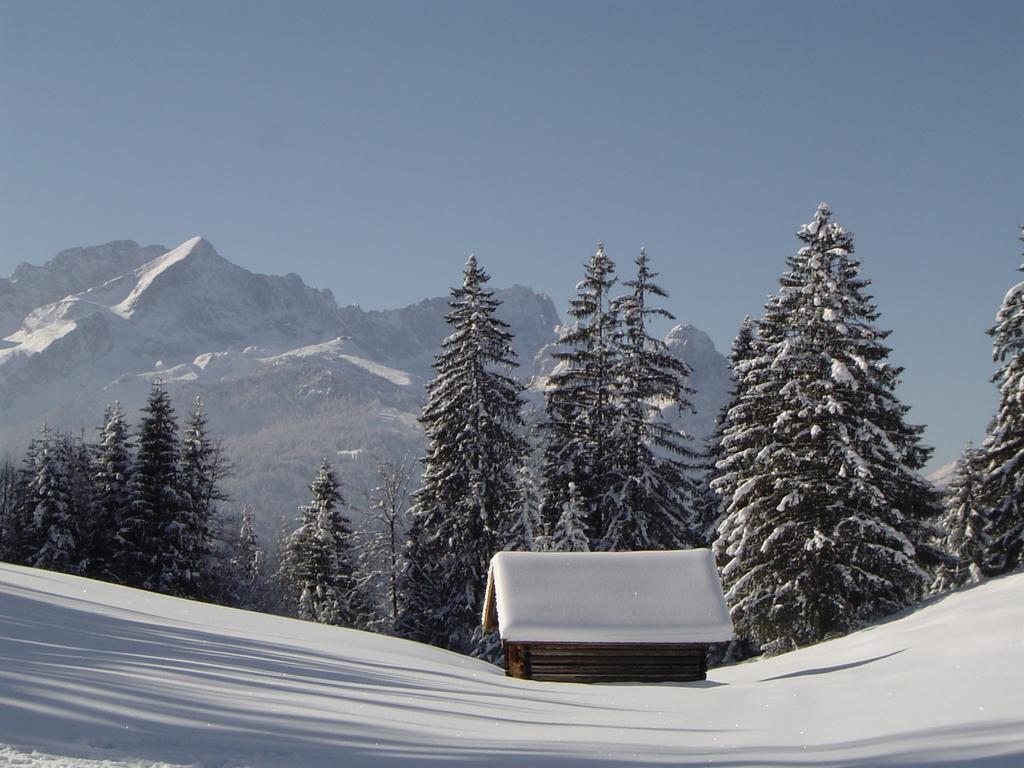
<point>95,675</point>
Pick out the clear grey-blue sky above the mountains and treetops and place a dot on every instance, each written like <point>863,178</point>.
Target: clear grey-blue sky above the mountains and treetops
<point>372,147</point>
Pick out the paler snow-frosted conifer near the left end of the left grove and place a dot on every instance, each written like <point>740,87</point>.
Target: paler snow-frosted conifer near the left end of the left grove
<point>56,535</point>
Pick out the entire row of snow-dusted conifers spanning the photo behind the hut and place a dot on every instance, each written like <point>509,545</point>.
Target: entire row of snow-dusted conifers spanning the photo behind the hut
<point>809,492</point>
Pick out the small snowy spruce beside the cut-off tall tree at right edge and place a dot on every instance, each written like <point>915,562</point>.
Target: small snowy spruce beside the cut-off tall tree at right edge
<point>965,523</point>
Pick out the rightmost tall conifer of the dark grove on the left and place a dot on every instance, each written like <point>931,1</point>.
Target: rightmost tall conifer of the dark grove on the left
<point>200,572</point>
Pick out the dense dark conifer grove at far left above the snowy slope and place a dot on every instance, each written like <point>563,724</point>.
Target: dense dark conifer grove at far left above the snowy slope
<point>139,509</point>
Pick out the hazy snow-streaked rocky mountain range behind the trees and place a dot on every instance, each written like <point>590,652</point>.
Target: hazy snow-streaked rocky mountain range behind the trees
<point>288,377</point>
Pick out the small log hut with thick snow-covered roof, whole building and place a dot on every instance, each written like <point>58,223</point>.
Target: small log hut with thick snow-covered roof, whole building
<point>606,617</point>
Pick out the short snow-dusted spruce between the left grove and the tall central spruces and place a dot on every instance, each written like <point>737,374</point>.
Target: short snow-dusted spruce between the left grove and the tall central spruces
<point>318,563</point>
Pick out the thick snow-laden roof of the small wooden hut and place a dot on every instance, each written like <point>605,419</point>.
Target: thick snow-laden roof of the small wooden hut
<point>612,598</point>
